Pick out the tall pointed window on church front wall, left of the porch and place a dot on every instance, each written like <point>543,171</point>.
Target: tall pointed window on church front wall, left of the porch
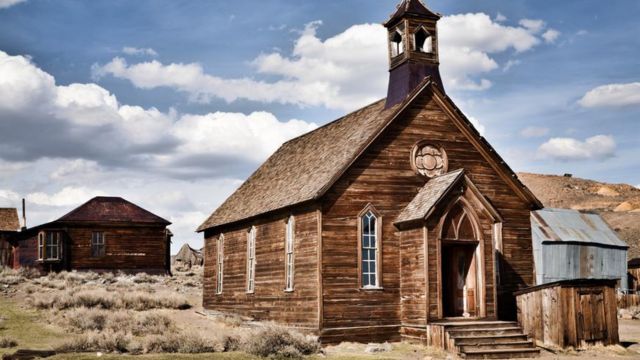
<point>370,262</point>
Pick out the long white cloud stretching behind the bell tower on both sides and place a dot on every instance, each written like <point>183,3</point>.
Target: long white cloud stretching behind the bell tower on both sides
<point>344,71</point>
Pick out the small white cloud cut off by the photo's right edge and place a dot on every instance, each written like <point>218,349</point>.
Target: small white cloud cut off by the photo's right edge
<point>613,95</point>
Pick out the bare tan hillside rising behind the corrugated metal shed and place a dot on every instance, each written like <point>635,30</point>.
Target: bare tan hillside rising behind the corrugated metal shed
<point>619,204</point>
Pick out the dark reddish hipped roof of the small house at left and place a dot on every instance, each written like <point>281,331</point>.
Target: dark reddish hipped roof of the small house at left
<point>112,209</point>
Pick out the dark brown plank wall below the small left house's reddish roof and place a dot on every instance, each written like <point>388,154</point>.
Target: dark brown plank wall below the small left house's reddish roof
<point>127,248</point>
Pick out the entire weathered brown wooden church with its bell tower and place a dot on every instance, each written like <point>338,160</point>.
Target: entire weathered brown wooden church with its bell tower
<point>393,221</point>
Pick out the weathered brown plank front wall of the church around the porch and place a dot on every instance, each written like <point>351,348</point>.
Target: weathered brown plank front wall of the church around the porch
<point>383,177</point>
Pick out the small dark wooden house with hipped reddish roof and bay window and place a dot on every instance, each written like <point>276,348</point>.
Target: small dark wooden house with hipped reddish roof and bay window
<point>104,234</point>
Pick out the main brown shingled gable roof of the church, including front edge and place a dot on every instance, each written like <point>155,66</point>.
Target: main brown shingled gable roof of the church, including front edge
<point>304,168</point>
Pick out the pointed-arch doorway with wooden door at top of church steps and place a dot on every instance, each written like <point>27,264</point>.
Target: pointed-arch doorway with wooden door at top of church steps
<point>459,242</point>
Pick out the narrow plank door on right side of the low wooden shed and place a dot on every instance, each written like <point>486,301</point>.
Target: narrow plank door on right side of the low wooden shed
<point>591,316</point>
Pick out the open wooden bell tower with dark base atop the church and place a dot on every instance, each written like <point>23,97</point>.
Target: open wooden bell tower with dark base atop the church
<point>413,49</point>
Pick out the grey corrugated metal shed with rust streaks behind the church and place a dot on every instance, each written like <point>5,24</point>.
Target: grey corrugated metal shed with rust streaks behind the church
<point>568,244</point>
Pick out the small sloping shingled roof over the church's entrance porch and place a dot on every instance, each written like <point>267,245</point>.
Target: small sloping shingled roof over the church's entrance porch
<point>429,196</point>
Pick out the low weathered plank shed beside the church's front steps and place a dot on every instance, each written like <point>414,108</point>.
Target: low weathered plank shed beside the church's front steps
<point>570,314</point>
